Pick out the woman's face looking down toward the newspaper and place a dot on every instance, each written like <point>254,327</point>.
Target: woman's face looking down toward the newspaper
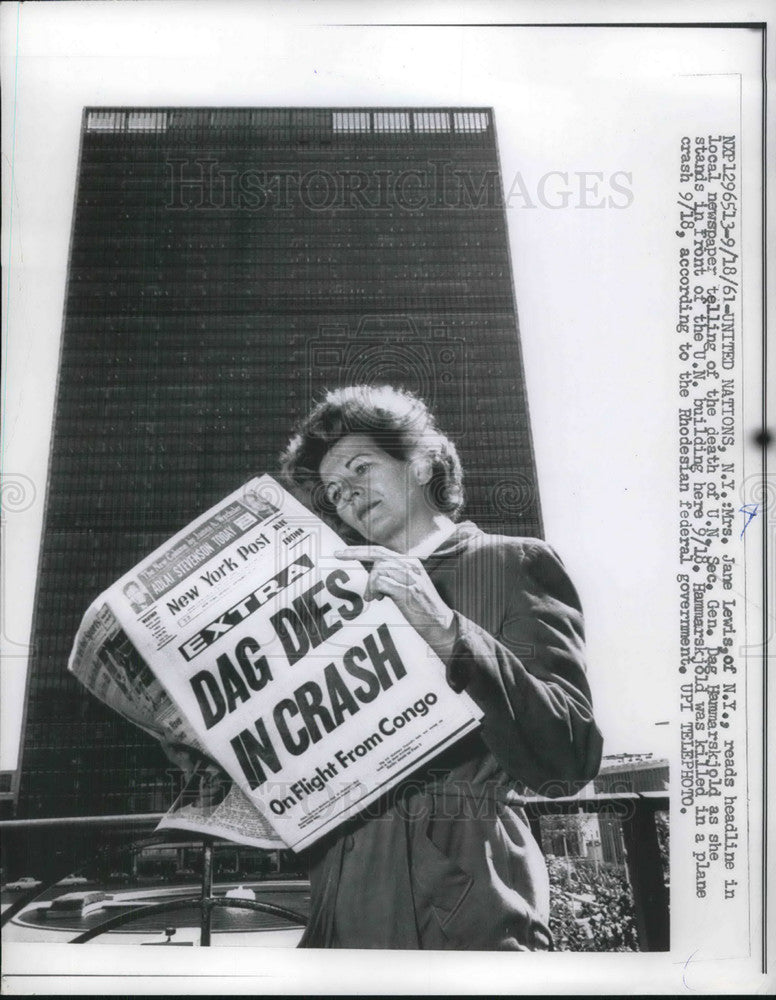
<point>380,496</point>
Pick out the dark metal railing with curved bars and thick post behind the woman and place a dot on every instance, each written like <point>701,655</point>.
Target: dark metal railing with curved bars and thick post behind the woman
<point>635,811</point>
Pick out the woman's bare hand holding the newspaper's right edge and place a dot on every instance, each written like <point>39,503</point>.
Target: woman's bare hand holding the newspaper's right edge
<point>405,580</point>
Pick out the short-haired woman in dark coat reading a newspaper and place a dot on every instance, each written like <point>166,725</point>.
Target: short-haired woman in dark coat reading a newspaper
<point>447,860</point>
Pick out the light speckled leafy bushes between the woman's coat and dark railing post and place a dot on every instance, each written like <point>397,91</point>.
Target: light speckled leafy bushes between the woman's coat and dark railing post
<point>591,906</point>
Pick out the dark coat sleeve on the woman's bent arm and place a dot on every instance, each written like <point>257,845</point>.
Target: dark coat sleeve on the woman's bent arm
<point>529,678</point>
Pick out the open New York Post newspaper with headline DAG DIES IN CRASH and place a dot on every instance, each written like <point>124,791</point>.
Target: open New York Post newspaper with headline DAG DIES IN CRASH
<point>245,639</point>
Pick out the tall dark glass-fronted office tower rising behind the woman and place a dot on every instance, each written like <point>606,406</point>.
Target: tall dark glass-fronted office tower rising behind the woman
<point>225,266</point>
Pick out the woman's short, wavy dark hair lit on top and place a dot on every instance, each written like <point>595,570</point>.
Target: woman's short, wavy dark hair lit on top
<point>397,421</point>
